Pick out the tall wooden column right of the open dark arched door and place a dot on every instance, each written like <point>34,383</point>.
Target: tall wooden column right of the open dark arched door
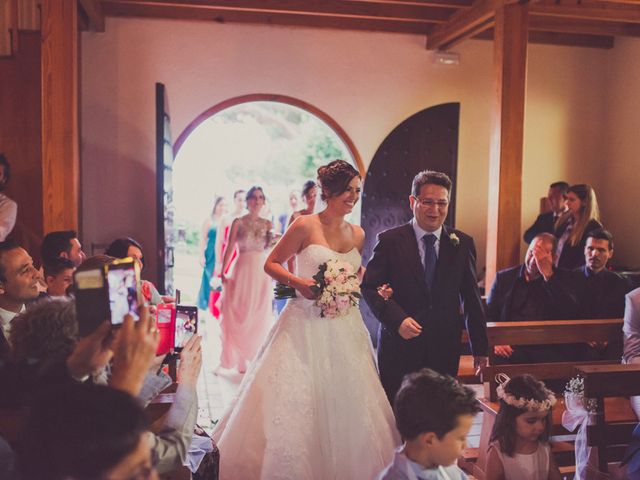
<point>507,135</point>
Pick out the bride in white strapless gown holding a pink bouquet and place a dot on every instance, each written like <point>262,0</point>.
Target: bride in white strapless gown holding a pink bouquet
<point>311,406</point>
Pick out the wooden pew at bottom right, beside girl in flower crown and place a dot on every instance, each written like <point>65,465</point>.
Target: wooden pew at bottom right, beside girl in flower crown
<point>611,433</point>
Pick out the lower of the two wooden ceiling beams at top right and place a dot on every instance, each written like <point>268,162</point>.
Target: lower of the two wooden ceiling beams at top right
<point>584,27</point>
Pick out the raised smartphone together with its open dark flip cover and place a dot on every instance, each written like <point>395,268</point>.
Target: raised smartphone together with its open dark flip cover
<point>107,293</point>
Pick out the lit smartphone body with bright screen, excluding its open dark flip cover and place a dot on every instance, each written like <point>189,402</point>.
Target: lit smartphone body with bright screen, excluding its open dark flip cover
<point>123,278</point>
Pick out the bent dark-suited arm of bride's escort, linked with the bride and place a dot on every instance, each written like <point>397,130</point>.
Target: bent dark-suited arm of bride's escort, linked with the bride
<point>378,273</point>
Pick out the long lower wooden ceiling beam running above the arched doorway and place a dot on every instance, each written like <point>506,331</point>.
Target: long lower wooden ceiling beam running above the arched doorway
<point>230,15</point>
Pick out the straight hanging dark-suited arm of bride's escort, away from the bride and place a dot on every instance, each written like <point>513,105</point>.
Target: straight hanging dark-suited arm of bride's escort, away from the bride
<point>473,311</point>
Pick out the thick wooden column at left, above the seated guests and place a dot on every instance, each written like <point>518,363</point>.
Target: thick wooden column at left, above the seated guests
<point>60,158</point>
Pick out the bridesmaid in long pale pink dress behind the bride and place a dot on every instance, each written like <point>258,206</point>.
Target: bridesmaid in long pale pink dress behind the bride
<point>246,296</point>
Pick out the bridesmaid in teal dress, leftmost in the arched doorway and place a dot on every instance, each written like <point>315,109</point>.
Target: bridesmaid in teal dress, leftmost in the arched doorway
<point>210,257</point>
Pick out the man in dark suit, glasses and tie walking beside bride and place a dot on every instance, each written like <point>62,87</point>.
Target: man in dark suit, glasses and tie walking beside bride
<point>431,269</point>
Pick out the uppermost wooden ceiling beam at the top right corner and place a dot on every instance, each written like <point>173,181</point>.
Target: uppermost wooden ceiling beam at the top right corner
<point>622,13</point>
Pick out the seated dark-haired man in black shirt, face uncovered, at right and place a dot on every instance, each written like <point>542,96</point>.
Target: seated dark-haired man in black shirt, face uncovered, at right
<point>604,290</point>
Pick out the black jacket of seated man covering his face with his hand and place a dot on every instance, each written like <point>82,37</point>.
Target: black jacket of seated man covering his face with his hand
<point>562,301</point>
